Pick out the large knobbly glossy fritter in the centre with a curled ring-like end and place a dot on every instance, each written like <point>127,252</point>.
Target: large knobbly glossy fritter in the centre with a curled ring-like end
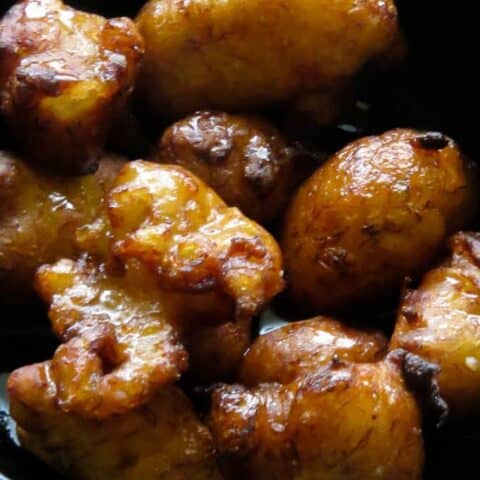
<point>168,259</point>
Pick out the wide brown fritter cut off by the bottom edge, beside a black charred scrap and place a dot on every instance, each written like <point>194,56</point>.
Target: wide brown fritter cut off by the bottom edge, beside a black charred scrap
<point>345,421</point>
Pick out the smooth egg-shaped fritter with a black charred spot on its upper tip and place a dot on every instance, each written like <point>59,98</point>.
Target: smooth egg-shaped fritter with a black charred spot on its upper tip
<point>379,210</point>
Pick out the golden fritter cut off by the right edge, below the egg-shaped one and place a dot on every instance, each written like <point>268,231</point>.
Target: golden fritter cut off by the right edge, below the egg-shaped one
<point>439,321</point>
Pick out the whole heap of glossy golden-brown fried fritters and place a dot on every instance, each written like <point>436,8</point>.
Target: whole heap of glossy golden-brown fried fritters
<point>155,271</point>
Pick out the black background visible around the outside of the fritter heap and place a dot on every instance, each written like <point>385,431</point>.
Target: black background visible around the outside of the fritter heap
<point>436,89</point>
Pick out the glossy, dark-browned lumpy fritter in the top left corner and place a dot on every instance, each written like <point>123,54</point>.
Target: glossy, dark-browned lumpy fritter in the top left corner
<point>64,75</point>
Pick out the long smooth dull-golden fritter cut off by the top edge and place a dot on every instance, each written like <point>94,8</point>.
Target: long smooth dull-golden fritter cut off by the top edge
<point>237,55</point>
